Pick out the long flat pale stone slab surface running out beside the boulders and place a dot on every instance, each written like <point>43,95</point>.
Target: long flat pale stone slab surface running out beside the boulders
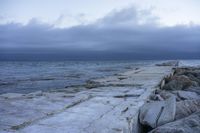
<point>111,108</point>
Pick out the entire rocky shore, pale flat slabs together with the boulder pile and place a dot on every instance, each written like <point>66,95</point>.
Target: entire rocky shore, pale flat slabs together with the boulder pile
<point>160,98</point>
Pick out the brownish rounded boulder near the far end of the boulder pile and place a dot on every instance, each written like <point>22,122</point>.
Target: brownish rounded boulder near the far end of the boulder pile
<point>179,83</point>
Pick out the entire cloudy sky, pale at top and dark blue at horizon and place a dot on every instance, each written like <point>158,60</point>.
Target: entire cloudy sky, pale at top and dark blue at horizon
<point>99,29</point>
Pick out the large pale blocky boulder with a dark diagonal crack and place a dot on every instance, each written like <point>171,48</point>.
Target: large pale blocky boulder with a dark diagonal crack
<point>157,113</point>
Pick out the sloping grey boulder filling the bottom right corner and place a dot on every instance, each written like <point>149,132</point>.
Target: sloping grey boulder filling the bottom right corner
<point>190,124</point>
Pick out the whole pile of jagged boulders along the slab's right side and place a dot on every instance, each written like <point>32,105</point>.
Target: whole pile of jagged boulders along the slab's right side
<point>175,106</point>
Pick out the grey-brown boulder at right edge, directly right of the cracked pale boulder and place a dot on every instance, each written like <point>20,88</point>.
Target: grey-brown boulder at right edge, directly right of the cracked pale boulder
<point>186,108</point>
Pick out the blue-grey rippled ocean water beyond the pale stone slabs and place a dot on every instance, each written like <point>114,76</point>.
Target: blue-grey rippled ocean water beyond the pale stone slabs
<point>27,76</point>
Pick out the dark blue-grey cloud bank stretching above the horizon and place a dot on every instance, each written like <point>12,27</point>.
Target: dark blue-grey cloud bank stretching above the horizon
<point>125,34</point>
